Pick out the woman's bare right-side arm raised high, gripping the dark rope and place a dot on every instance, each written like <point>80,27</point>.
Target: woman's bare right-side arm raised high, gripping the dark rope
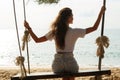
<point>95,26</point>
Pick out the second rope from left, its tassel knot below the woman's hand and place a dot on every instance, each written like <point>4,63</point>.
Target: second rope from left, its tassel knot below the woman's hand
<point>26,38</point>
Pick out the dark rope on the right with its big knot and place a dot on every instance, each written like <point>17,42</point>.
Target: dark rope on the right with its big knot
<point>102,40</point>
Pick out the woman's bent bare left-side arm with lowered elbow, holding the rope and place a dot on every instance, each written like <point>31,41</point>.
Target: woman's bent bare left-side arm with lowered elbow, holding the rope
<point>35,38</point>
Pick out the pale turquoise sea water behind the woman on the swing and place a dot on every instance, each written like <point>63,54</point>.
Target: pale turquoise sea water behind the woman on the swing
<point>42,54</point>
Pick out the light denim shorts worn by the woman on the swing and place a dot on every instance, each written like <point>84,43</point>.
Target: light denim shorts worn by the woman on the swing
<point>64,63</point>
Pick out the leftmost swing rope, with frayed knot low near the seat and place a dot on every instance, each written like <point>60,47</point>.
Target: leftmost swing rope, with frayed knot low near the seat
<point>20,59</point>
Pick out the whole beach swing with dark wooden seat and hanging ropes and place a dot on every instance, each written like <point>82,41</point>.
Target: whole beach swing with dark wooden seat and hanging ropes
<point>50,75</point>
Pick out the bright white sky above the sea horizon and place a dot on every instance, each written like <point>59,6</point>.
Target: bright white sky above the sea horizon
<point>41,16</point>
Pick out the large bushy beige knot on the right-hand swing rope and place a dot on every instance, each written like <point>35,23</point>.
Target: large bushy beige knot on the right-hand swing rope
<point>102,41</point>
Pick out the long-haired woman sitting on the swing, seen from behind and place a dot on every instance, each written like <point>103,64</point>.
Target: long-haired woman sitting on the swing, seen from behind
<point>65,38</point>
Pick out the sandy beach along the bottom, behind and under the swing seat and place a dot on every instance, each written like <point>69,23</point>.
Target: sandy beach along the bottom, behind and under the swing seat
<point>7,73</point>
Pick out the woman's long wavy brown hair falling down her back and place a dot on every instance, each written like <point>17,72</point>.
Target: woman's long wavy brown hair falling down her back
<point>60,26</point>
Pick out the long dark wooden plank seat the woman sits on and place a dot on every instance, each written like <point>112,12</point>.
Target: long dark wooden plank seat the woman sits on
<point>50,75</point>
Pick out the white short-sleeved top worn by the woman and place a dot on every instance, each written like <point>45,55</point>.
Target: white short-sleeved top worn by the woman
<point>71,36</point>
